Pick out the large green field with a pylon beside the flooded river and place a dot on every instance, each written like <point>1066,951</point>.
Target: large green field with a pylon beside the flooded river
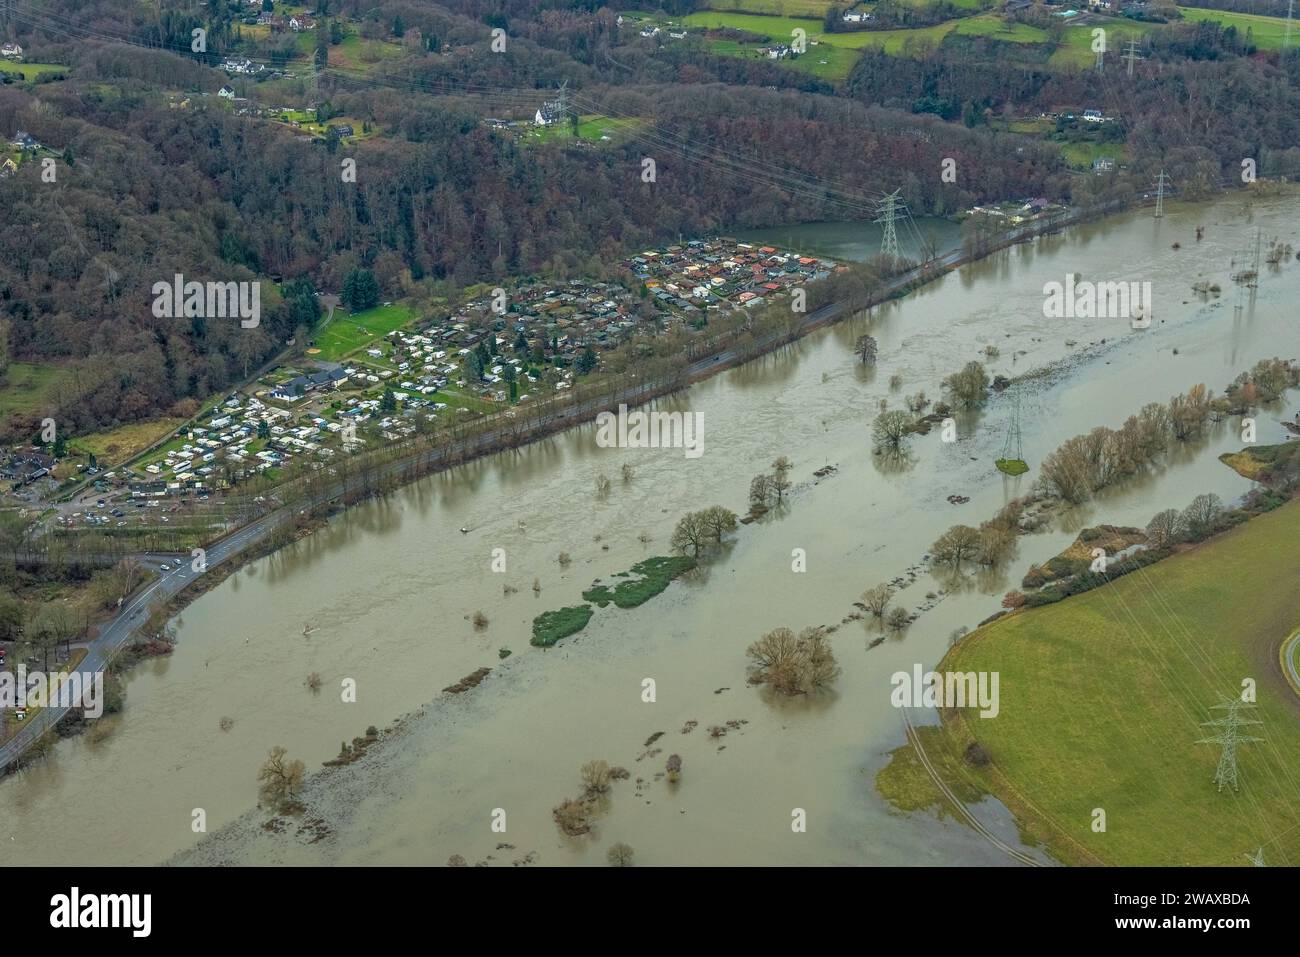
<point>1102,703</point>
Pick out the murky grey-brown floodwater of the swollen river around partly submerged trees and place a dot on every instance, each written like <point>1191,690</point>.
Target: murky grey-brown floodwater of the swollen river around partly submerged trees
<point>383,596</point>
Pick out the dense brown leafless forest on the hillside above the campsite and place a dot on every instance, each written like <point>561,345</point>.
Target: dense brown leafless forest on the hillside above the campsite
<point>148,189</point>
